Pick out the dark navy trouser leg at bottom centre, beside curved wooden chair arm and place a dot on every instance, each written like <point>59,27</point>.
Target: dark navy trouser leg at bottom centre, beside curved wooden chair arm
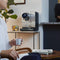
<point>32,56</point>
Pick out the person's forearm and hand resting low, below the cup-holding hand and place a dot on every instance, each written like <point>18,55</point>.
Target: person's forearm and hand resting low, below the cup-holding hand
<point>9,53</point>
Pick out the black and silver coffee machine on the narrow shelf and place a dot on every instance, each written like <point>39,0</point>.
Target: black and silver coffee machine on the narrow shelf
<point>31,22</point>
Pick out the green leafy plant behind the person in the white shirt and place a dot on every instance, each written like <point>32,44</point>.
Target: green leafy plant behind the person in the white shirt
<point>8,12</point>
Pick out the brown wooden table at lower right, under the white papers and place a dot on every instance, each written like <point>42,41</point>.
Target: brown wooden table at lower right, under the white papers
<point>55,54</point>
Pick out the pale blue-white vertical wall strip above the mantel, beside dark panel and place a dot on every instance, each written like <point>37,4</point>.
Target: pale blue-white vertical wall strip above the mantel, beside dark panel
<point>45,11</point>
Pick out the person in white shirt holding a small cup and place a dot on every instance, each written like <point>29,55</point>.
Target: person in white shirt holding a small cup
<point>4,41</point>
